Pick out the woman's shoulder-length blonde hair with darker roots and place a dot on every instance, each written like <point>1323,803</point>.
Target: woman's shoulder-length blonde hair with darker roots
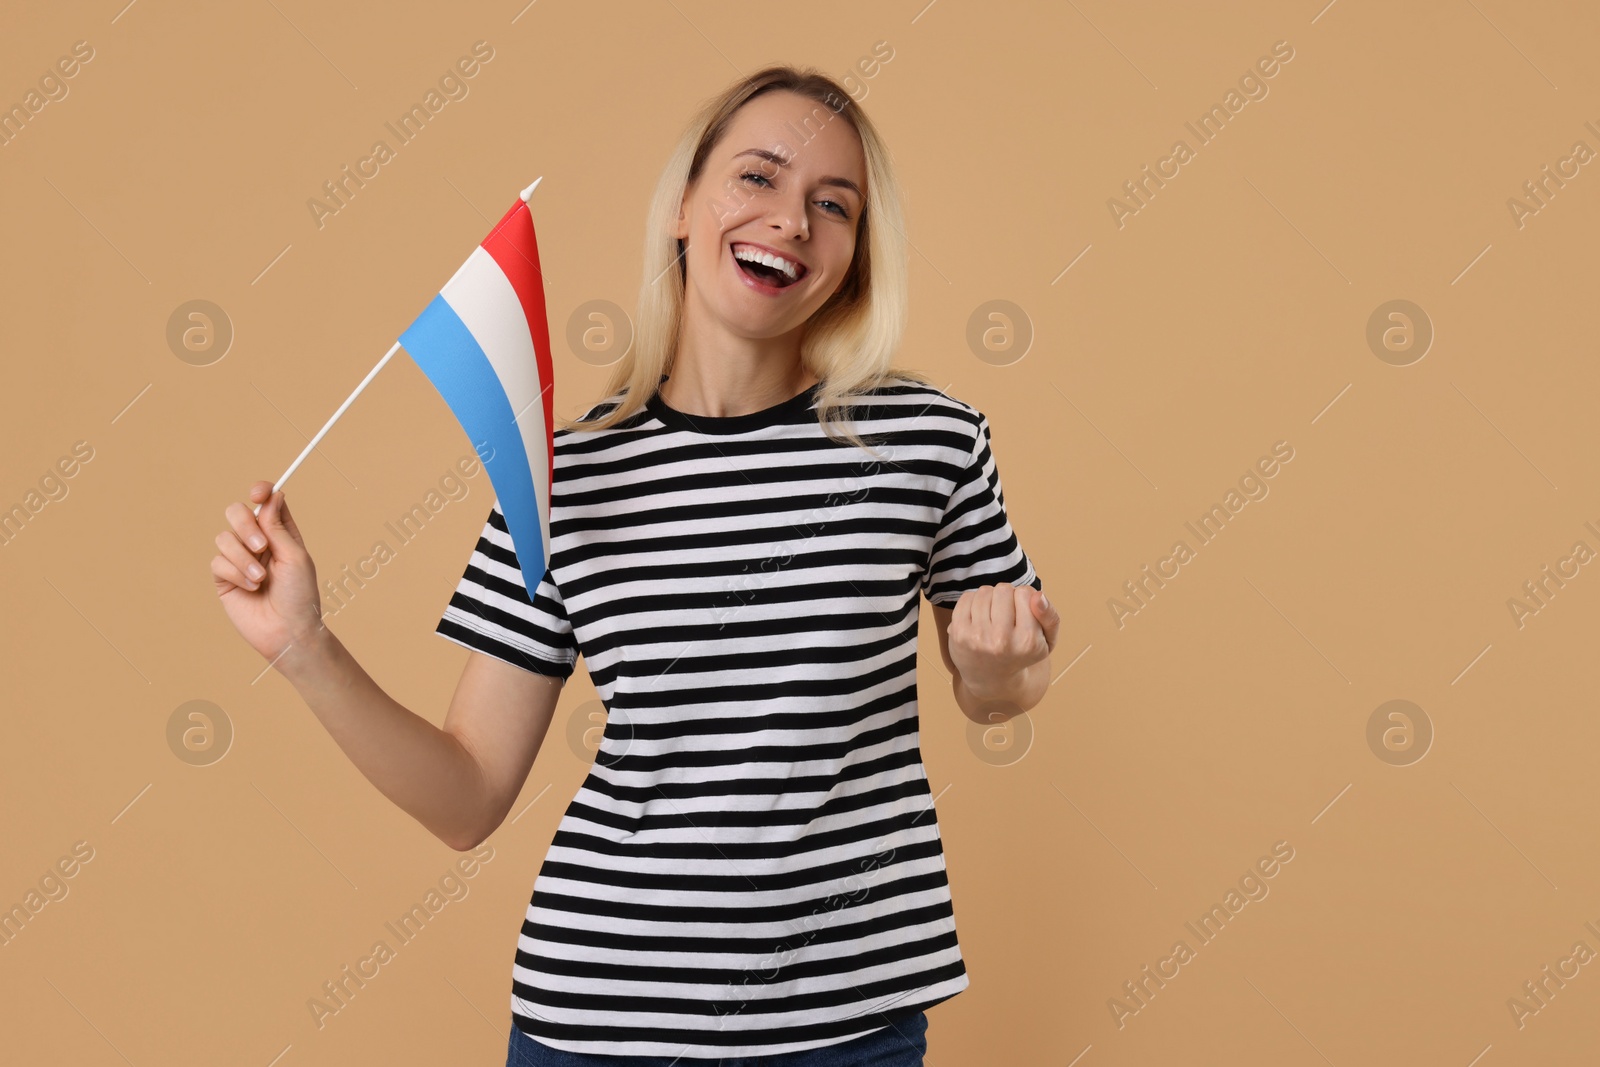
<point>850,342</point>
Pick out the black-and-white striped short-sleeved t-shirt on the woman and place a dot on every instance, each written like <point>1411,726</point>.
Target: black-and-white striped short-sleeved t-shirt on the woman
<point>753,865</point>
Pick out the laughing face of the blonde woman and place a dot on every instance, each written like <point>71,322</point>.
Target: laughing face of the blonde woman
<point>788,178</point>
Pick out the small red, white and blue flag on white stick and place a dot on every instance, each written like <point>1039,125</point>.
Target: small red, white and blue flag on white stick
<point>486,345</point>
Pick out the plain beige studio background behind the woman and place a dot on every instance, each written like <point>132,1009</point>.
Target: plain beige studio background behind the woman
<point>1228,314</point>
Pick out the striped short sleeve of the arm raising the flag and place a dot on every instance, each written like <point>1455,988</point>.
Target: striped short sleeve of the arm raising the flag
<point>492,612</point>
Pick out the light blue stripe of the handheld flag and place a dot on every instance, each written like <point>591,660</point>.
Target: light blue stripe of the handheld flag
<point>442,346</point>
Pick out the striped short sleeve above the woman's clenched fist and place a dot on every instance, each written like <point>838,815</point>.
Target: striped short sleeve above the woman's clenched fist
<point>975,545</point>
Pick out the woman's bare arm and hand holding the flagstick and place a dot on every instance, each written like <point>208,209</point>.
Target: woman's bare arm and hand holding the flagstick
<point>458,781</point>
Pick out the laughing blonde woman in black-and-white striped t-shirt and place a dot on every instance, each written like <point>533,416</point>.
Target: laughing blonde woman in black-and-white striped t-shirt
<point>753,869</point>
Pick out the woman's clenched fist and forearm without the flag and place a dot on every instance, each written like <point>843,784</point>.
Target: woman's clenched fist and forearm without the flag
<point>998,642</point>
